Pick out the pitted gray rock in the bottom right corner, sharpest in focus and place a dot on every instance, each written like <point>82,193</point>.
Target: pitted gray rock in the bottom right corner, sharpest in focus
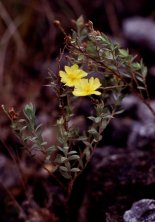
<point>141,211</point>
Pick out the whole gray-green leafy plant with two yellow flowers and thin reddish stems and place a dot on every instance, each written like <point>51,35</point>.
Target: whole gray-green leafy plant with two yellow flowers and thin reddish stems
<point>99,71</point>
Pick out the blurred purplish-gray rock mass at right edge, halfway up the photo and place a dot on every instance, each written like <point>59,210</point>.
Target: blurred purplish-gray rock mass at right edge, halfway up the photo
<point>143,125</point>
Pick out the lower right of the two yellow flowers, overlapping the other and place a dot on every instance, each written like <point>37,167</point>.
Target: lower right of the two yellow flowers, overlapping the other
<point>86,87</point>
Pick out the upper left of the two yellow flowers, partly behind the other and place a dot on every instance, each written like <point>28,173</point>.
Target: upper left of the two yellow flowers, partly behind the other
<point>72,75</point>
